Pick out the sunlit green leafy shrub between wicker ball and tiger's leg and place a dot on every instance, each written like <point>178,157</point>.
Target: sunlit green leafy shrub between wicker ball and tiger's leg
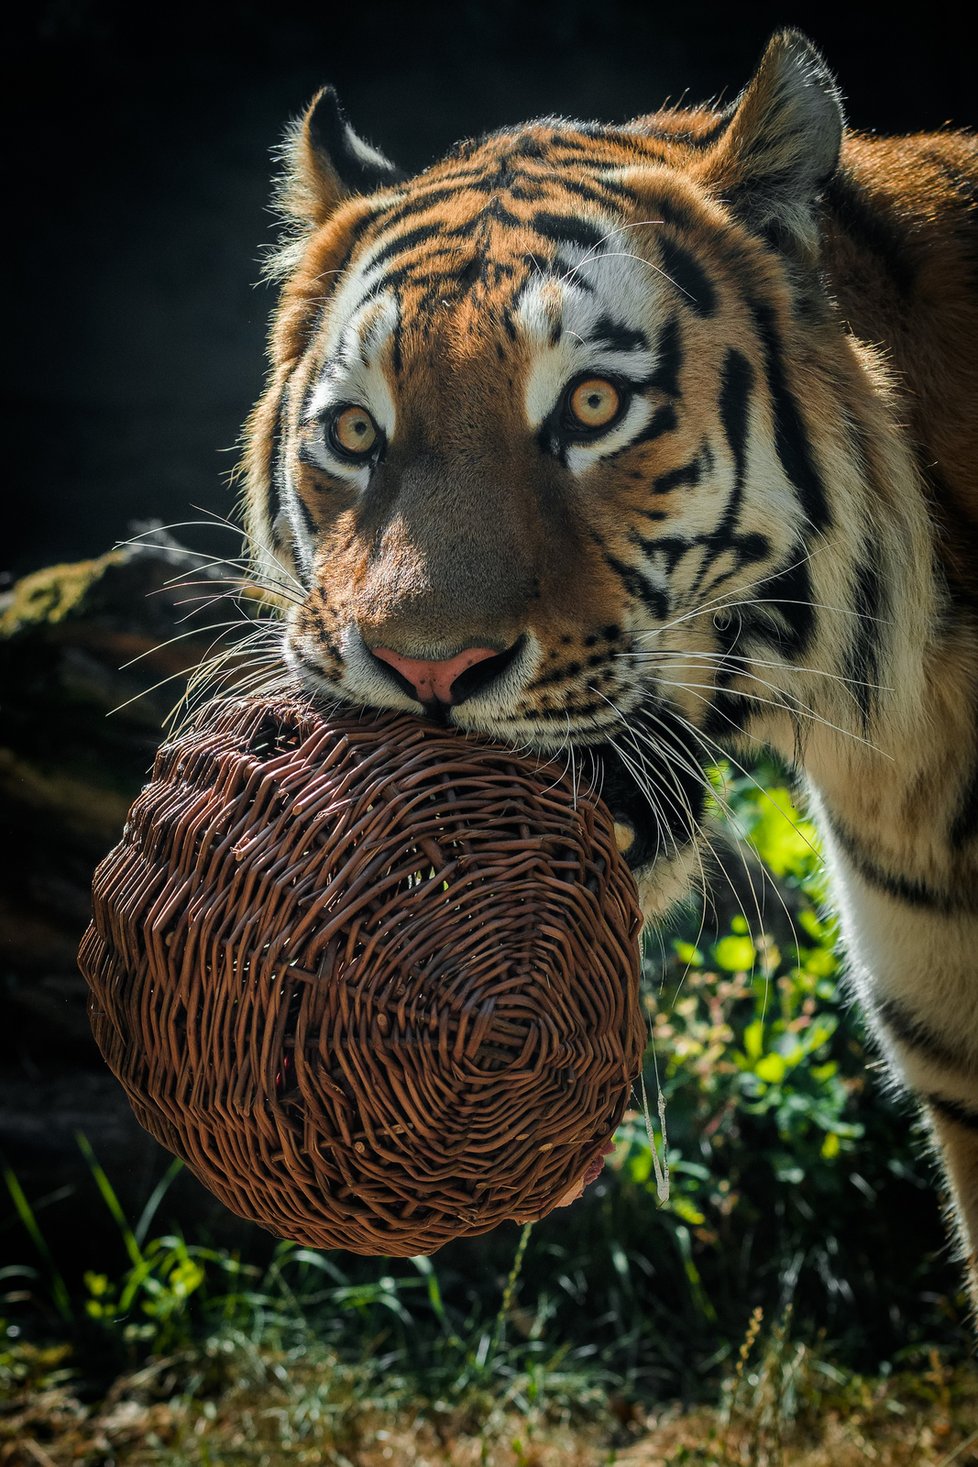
<point>795,1171</point>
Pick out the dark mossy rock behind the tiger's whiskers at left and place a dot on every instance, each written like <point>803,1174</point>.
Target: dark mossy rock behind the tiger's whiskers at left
<point>81,728</point>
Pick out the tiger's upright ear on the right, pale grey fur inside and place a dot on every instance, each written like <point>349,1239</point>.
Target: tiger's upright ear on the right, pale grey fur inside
<point>781,144</point>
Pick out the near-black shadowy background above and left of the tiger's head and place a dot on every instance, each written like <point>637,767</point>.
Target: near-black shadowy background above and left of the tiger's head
<point>139,167</point>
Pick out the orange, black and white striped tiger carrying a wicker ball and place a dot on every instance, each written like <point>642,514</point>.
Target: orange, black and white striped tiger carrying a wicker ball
<point>655,444</point>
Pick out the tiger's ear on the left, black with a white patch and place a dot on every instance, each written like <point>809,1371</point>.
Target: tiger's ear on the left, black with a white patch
<point>328,162</point>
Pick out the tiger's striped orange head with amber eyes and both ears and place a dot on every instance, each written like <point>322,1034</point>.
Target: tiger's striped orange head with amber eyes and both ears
<point>534,450</point>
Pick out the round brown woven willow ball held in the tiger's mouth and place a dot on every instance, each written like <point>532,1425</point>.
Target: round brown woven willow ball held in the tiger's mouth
<point>376,984</point>
